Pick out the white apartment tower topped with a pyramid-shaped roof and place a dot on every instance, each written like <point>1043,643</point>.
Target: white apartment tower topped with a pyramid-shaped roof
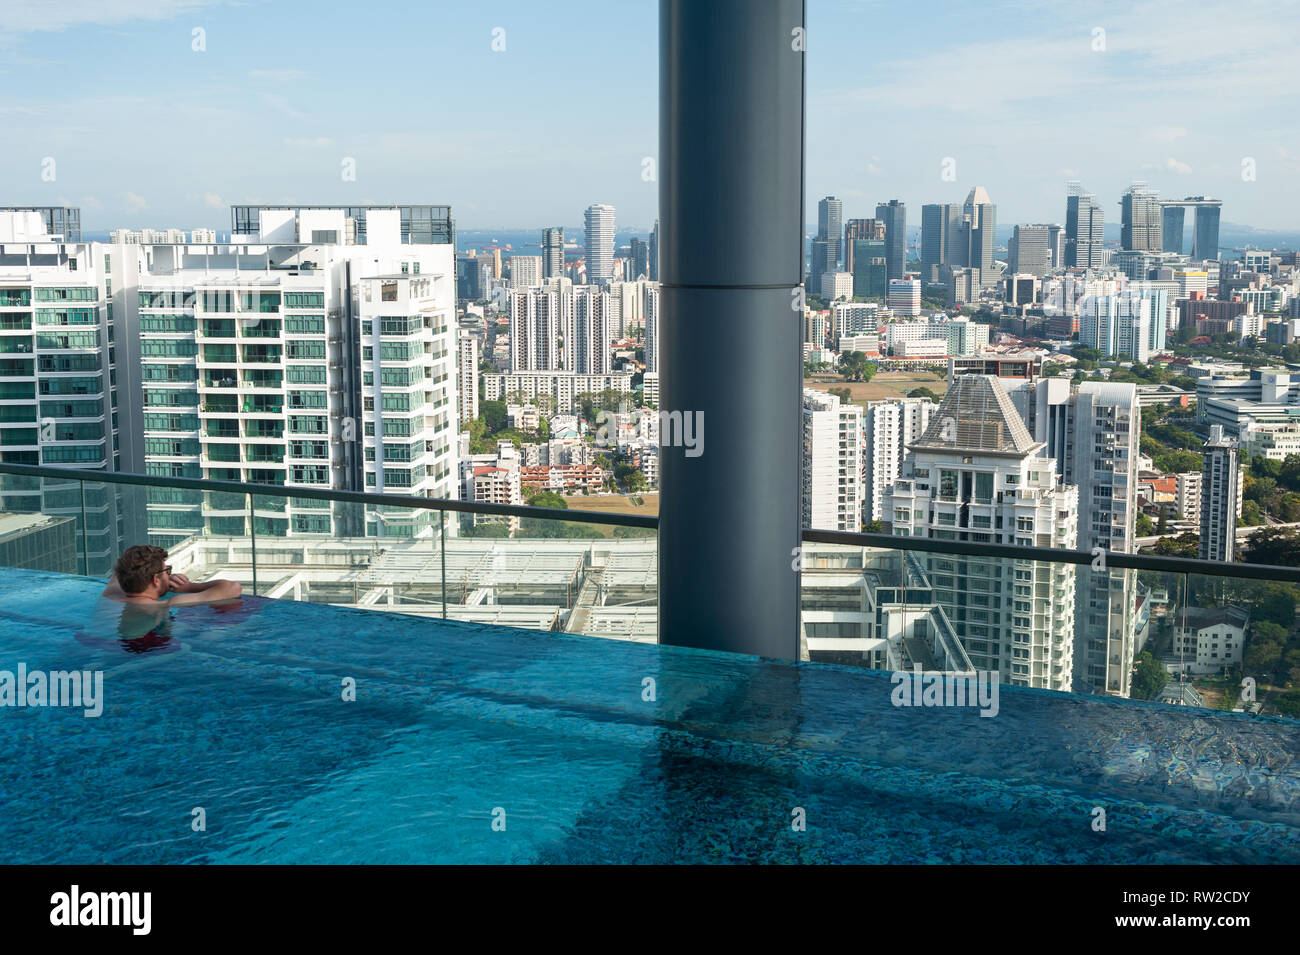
<point>977,475</point>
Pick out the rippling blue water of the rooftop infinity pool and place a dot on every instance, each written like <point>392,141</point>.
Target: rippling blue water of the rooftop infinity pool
<point>473,744</point>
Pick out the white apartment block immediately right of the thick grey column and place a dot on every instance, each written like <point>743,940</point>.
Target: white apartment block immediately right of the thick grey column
<point>831,487</point>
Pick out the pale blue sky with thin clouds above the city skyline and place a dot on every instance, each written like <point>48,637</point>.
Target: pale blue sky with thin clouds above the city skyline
<point>148,132</point>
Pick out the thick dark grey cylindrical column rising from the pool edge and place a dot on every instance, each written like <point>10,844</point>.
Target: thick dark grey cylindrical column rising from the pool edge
<point>731,262</point>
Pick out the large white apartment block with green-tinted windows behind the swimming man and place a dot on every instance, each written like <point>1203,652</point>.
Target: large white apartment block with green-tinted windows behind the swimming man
<point>317,349</point>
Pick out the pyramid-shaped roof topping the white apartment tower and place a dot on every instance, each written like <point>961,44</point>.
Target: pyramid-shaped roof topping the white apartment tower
<point>977,415</point>
